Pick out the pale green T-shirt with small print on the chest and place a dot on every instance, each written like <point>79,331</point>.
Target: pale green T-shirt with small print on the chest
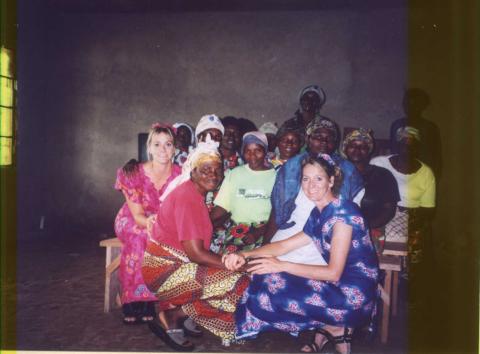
<point>246,194</point>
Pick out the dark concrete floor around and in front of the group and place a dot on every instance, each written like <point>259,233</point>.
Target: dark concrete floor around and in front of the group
<point>59,306</point>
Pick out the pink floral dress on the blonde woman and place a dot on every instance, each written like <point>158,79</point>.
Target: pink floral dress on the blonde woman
<point>141,190</point>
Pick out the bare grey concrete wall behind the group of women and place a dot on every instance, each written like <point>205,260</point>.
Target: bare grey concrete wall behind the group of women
<point>90,82</point>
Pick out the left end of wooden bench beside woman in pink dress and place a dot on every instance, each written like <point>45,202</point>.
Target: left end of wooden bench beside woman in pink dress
<point>112,261</point>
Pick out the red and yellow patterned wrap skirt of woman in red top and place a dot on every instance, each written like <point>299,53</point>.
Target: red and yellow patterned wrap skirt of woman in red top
<point>208,295</point>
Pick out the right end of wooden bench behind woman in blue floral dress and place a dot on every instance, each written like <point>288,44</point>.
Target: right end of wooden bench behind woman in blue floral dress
<point>391,262</point>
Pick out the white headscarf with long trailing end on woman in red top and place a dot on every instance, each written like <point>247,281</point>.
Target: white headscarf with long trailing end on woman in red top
<point>205,151</point>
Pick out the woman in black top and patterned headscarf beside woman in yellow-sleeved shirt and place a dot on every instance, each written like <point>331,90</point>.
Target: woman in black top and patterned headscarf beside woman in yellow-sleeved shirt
<point>379,198</point>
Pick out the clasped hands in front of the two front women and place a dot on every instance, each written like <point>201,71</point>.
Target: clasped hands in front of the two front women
<point>258,265</point>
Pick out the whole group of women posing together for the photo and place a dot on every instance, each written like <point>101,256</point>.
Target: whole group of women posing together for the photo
<point>263,230</point>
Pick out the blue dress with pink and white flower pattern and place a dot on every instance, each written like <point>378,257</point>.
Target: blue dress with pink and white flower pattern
<point>286,302</point>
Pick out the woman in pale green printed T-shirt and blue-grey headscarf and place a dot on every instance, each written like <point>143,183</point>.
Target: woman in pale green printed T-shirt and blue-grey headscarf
<point>244,197</point>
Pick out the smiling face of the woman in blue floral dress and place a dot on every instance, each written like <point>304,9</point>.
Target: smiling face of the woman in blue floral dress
<point>316,184</point>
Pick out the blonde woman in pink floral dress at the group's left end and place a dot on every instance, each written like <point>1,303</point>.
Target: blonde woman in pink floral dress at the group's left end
<point>142,191</point>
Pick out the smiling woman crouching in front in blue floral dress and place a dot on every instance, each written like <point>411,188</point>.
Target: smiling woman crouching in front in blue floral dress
<point>332,298</point>
